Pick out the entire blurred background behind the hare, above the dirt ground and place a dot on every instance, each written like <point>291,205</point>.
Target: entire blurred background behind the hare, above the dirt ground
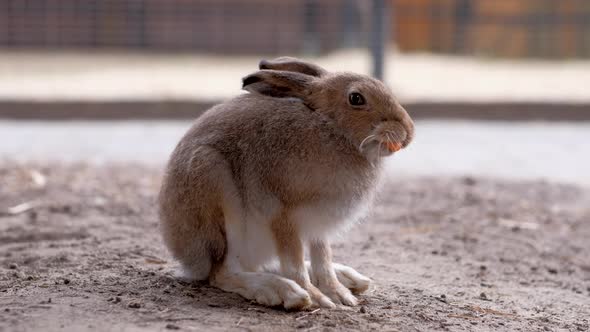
<point>498,88</point>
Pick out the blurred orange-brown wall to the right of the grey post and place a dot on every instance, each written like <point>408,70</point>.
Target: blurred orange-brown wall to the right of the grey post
<point>518,28</point>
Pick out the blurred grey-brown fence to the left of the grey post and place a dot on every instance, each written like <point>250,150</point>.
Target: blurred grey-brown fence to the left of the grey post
<point>227,26</point>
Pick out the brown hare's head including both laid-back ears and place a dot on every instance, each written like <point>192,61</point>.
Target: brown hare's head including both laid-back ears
<point>362,106</point>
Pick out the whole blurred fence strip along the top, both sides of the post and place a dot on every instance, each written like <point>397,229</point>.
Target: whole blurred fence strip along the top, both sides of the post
<point>519,28</point>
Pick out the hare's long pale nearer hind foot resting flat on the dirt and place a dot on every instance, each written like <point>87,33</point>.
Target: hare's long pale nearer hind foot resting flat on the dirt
<point>264,288</point>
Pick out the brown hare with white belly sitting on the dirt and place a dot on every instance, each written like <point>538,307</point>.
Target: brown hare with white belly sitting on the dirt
<point>259,178</point>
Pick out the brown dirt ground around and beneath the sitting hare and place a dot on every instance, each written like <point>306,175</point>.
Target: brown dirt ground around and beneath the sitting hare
<point>457,254</point>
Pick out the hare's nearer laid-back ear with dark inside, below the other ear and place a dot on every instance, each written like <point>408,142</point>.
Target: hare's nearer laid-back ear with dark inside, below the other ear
<point>276,83</point>
